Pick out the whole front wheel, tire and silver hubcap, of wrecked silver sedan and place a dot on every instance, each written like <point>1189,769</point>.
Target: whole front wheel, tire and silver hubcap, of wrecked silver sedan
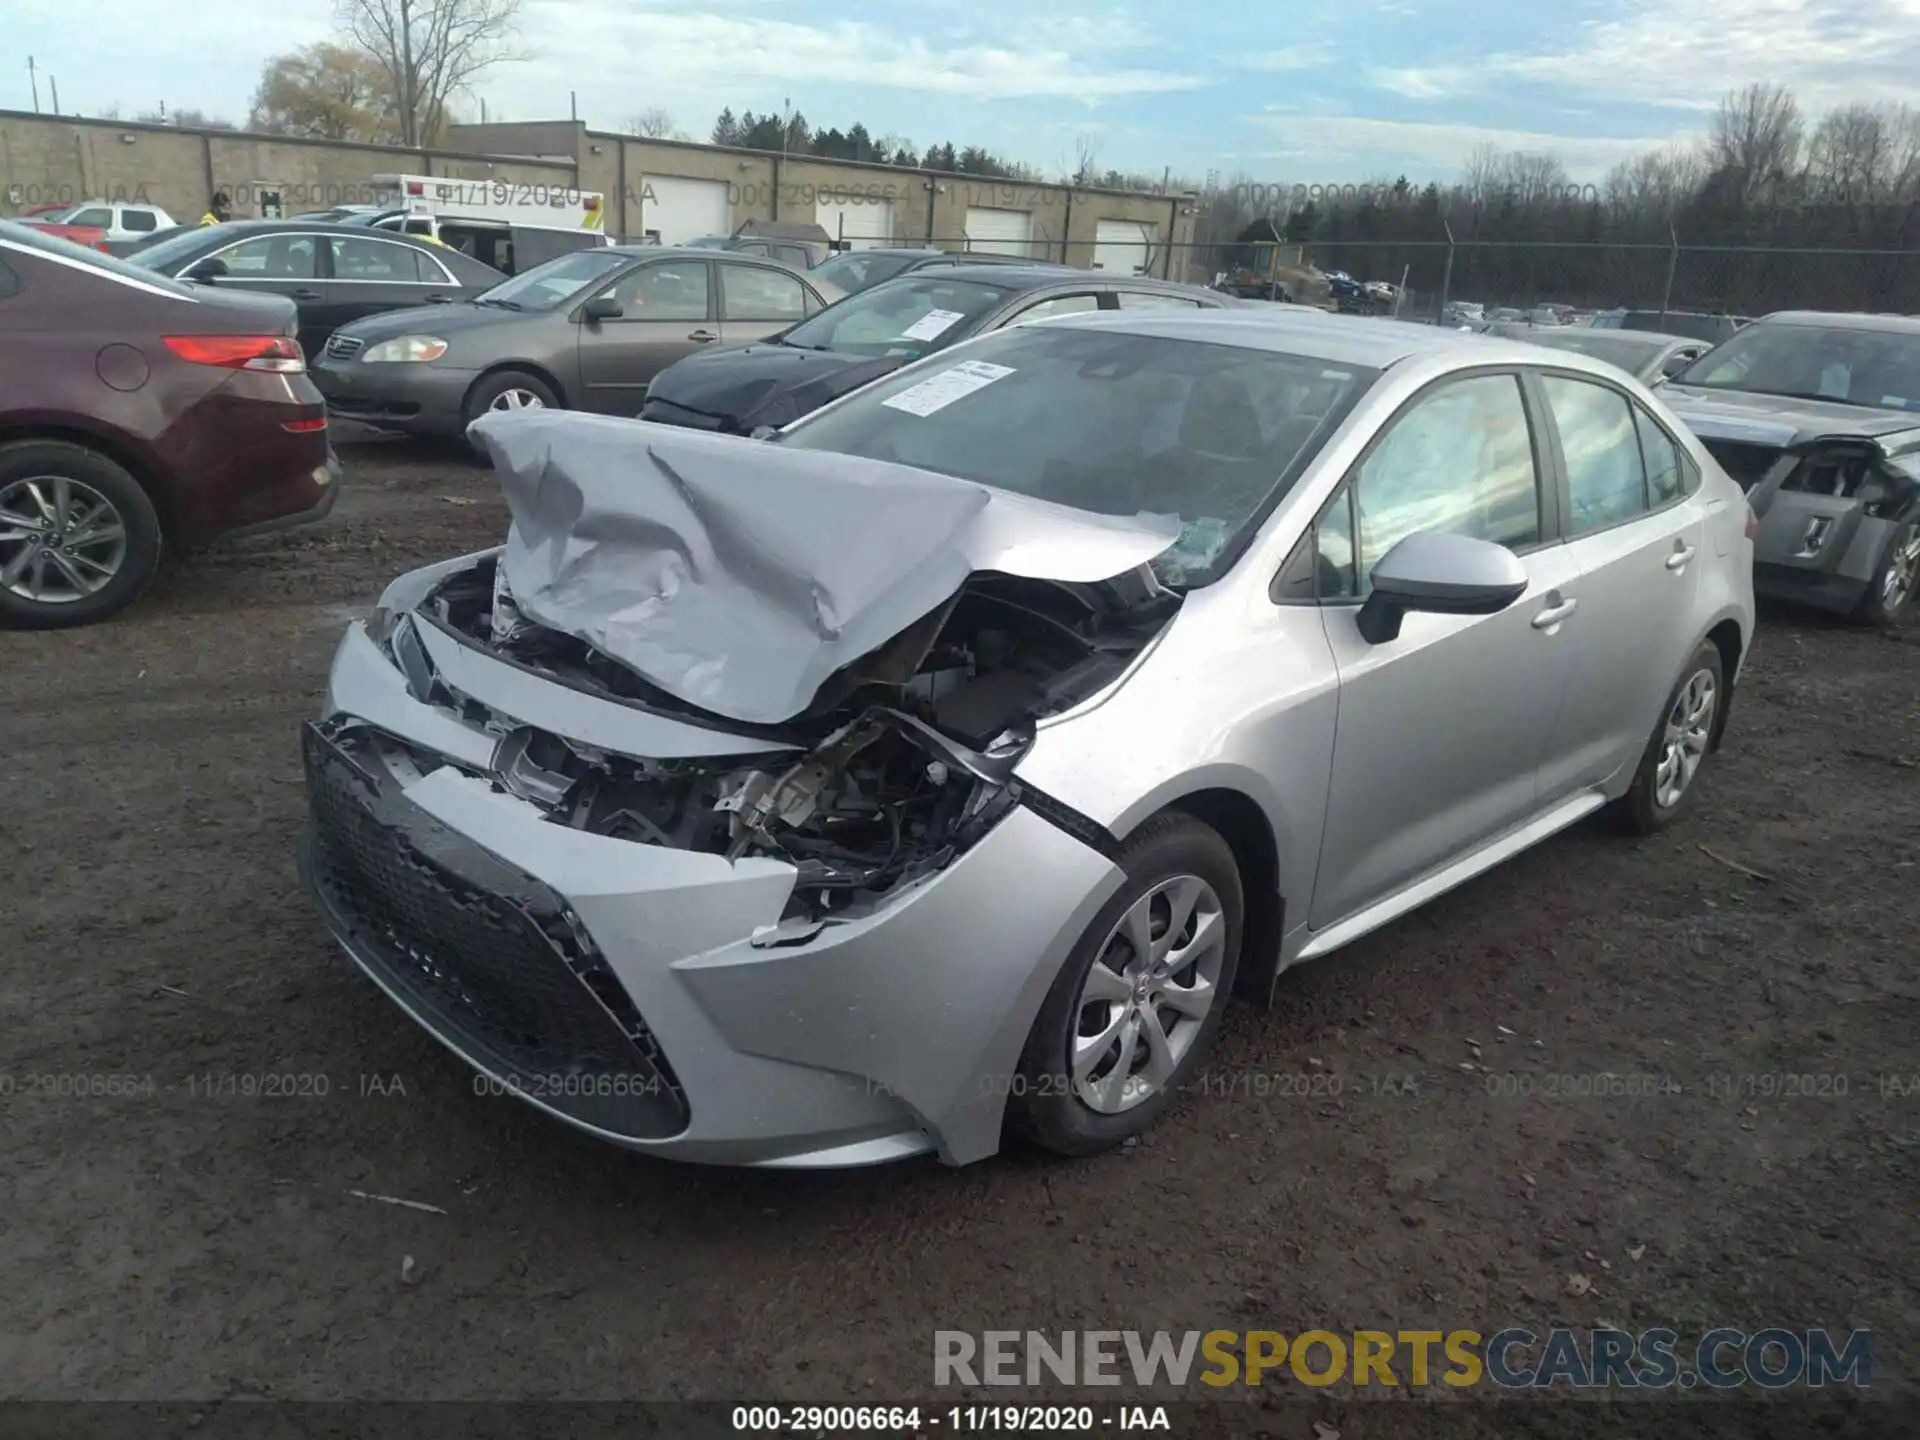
<point>1140,999</point>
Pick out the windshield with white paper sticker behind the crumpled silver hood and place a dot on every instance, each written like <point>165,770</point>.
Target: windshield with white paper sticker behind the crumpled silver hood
<point>1111,423</point>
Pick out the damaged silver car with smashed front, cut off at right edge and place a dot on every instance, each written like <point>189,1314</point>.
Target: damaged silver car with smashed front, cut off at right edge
<point>1819,421</point>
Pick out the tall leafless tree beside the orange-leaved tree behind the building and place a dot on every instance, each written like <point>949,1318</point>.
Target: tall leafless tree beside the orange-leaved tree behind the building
<point>431,51</point>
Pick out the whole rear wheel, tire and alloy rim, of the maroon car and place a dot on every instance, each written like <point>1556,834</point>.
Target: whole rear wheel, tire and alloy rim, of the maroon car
<point>80,540</point>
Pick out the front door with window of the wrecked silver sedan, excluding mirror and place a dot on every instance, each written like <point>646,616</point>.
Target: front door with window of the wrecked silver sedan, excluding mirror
<point>1441,732</point>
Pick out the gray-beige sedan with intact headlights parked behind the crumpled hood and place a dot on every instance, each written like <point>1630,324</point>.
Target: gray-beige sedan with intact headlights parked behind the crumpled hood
<point>587,331</point>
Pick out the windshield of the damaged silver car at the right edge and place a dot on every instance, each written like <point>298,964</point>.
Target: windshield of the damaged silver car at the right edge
<point>1879,370</point>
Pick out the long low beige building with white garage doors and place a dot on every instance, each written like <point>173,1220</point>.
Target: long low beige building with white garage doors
<point>656,189</point>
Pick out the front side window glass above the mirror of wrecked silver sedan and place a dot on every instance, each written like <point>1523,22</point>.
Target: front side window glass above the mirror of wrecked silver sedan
<point>1462,460</point>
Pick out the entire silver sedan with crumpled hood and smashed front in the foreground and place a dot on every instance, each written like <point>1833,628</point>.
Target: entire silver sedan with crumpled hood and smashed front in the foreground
<point>938,767</point>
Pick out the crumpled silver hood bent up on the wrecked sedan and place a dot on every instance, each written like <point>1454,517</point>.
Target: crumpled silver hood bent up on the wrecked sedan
<point>738,575</point>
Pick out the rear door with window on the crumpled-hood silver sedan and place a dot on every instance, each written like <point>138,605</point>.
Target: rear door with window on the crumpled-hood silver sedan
<point>1635,527</point>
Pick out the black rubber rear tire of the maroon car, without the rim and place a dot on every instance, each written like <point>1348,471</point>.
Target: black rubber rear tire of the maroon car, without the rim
<point>133,510</point>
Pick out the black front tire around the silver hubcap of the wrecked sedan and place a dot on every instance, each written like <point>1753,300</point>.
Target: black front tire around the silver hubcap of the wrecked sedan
<point>1044,1105</point>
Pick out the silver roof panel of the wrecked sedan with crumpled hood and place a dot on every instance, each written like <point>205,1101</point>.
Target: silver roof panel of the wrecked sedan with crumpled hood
<point>1307,331</point>
